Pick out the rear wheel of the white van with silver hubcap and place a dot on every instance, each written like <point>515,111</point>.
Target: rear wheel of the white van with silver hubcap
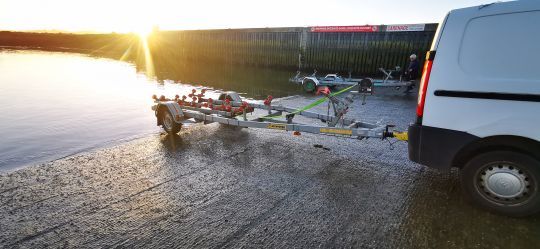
<point>504,182</point>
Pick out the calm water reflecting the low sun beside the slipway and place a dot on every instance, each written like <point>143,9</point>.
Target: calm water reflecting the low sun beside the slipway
<point>56,104</point>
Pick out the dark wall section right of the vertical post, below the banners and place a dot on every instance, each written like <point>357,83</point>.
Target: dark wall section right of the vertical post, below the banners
<point>364,53</point>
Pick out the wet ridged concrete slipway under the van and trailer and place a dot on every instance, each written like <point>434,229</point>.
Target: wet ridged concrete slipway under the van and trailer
<point>213,187</point>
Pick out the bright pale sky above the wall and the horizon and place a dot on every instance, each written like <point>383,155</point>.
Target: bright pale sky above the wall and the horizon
<point>141,15</point>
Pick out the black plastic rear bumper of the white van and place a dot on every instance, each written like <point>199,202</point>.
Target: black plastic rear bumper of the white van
<point>436,147</point>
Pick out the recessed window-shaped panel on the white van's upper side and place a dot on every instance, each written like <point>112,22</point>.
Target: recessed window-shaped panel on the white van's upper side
<point>502,46</point>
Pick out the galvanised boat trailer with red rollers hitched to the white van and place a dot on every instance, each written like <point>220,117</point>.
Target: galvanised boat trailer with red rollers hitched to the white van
<point>229,109</point>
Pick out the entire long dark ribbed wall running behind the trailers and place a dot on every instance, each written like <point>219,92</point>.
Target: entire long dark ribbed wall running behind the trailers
<point>360,53</point>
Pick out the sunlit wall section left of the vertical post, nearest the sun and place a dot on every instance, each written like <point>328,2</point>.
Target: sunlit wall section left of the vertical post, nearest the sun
<point>277,48</point>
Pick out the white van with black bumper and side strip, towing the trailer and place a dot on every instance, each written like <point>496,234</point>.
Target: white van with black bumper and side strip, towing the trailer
<point>479,105</point>
